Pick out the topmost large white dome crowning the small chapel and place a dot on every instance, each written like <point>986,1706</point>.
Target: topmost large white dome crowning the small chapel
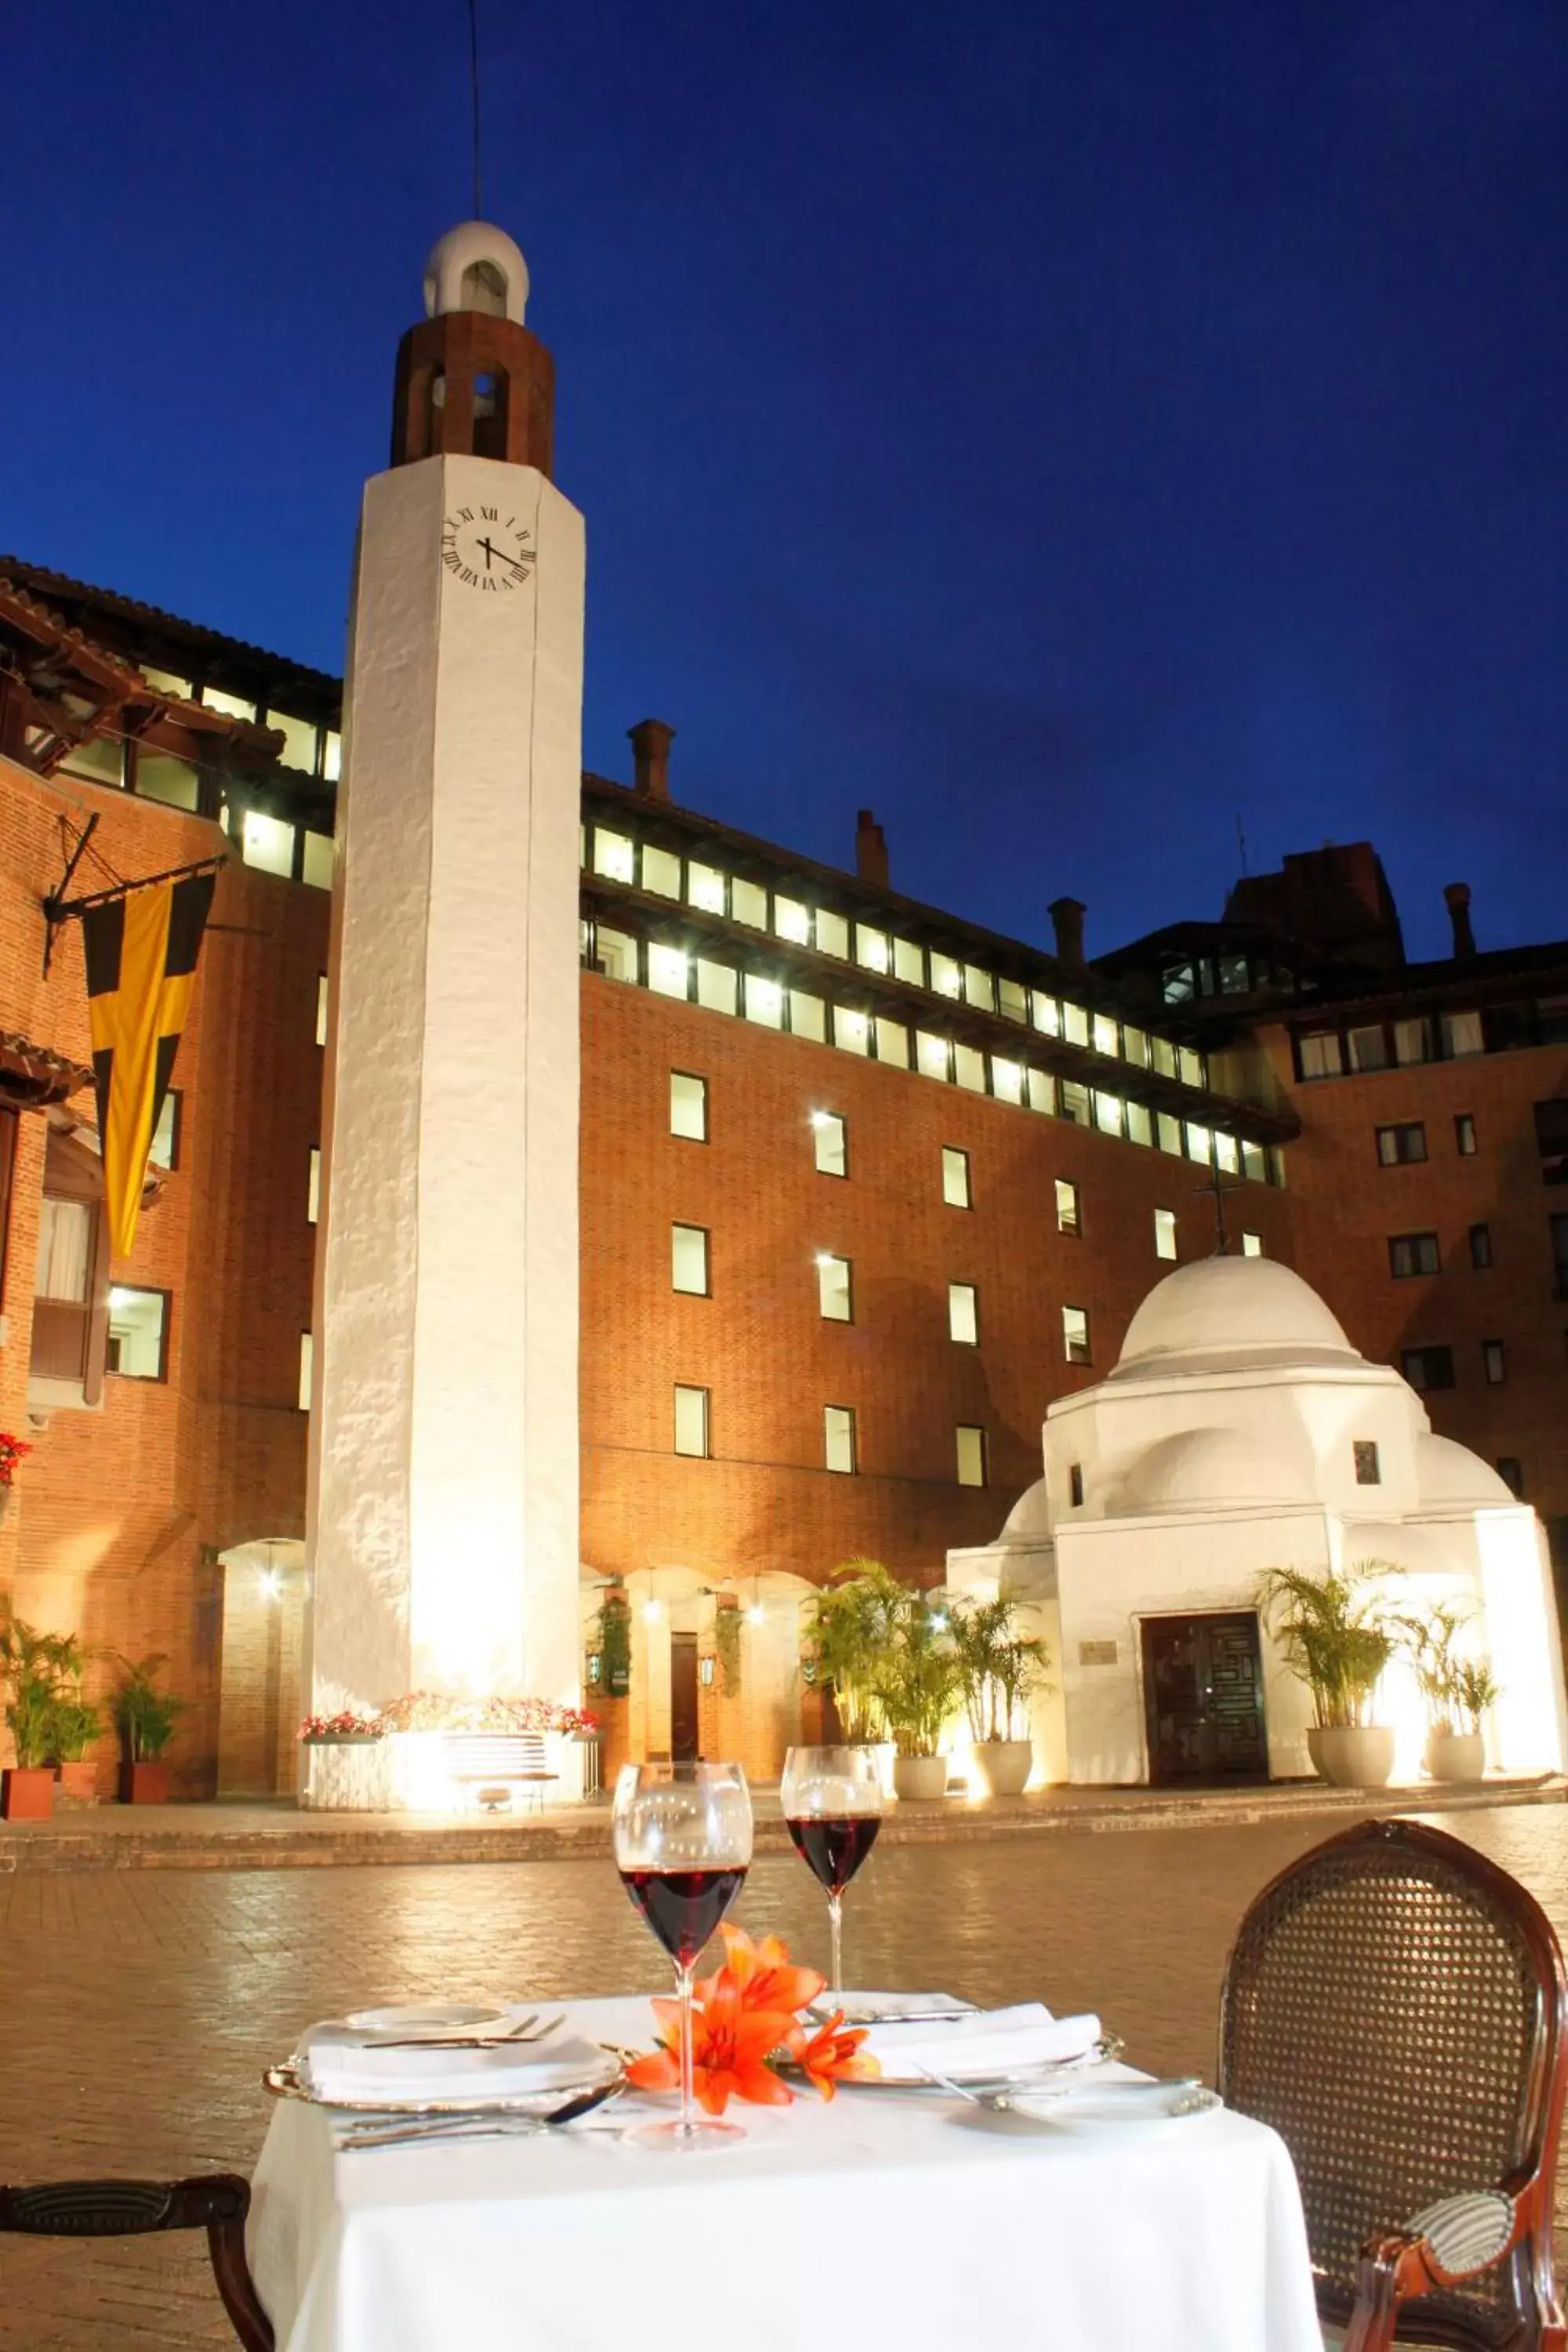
<point>1231,1316</point>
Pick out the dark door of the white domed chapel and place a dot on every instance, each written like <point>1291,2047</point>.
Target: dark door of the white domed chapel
<point>1202,1697</point>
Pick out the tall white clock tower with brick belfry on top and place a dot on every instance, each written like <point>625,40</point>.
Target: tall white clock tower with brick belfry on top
<point>443,1535</point>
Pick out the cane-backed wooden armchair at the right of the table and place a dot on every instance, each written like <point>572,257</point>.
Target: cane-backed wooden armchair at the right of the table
<point>1398,2010</point>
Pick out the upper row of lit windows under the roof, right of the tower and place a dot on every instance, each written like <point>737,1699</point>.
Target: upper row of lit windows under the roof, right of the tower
<point>803,923</point>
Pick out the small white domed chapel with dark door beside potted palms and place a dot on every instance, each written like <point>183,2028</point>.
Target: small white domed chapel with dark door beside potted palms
<point>1242,1431</point>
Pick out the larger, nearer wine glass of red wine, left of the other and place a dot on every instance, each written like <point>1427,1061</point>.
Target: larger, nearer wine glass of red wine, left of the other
<point>683,1838</point>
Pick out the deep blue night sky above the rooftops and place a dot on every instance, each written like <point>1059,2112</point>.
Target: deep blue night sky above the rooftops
<point>1066,427</point>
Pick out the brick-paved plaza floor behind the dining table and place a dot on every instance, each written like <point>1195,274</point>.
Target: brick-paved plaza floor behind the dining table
<point>138,2010</point>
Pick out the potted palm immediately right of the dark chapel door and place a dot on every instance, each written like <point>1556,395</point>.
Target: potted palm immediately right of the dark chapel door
<point>1339,1641</point>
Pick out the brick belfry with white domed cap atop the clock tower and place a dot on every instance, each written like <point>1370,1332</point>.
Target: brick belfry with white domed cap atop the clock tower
<point>471,380</point>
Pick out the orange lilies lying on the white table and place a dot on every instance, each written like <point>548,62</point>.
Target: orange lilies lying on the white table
<point>746,2022</point>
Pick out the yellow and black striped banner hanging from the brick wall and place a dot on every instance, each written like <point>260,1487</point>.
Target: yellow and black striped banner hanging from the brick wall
<point>142,956</point>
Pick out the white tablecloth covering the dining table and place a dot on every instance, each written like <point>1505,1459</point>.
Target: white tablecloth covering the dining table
<point>883,2219</point>
